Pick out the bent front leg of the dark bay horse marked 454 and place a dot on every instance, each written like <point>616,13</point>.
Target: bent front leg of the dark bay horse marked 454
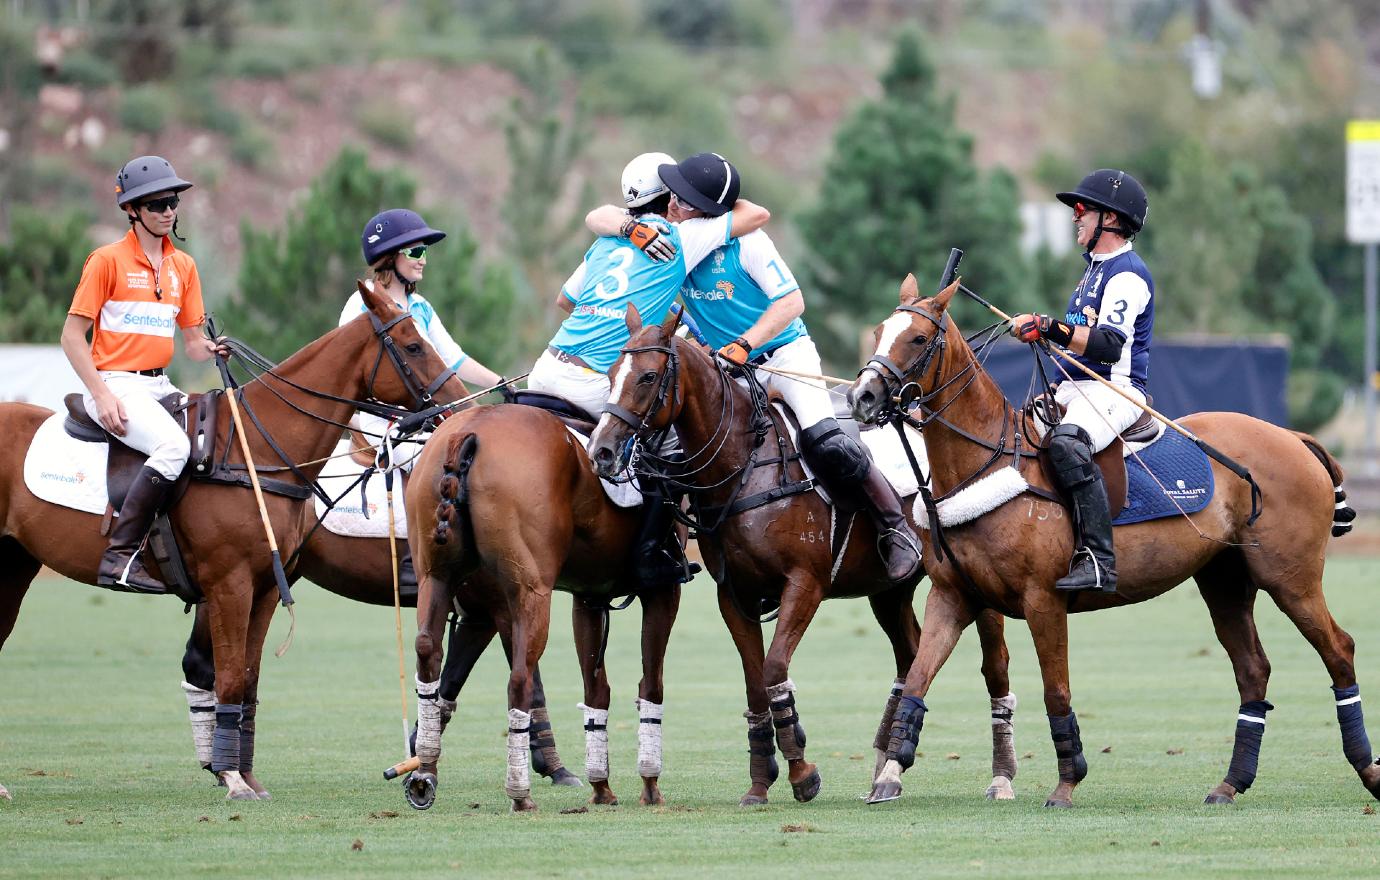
<point>800,602</point>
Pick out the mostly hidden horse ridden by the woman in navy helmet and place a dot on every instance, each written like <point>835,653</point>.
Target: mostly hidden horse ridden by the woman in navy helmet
<point>361,569</point>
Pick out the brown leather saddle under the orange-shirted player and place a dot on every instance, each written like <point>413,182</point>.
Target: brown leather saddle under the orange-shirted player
<point>198,417</point>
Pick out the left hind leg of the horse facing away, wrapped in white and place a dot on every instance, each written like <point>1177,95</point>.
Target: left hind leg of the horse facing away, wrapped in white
<point>434,605</point>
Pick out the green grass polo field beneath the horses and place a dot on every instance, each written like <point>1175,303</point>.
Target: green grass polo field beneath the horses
<point>96,750</point>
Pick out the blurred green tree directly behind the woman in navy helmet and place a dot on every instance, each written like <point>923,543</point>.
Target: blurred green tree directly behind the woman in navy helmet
<point>295,281</point>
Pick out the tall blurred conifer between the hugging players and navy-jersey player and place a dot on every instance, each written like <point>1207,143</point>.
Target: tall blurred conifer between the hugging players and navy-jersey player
<point>899,191</point>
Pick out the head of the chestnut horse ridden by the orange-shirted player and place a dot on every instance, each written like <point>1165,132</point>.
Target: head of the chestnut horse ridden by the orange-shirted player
<point>417,377</point>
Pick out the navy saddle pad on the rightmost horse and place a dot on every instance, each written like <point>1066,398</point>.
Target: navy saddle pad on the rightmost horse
<point>1182,481</point>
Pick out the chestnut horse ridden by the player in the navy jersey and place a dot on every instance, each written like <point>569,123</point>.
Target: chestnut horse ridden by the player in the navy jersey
<point>1009,558</point>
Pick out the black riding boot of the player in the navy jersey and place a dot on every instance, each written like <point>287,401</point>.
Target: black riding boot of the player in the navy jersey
<point>1095,563</point>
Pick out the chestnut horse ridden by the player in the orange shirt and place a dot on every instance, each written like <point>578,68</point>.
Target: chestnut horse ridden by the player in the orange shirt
<point>302,405</point>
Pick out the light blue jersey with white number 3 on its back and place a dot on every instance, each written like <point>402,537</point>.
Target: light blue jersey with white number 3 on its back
<point>616,275</point>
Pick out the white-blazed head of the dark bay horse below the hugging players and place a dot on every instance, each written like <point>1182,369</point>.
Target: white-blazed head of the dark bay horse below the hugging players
<point>645,395</point>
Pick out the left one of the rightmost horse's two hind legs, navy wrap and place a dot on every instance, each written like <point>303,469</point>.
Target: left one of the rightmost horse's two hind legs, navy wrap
<point>1230,597</point>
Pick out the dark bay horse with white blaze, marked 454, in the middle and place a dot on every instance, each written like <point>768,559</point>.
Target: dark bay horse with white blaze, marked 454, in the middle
<point>775,546</point>
